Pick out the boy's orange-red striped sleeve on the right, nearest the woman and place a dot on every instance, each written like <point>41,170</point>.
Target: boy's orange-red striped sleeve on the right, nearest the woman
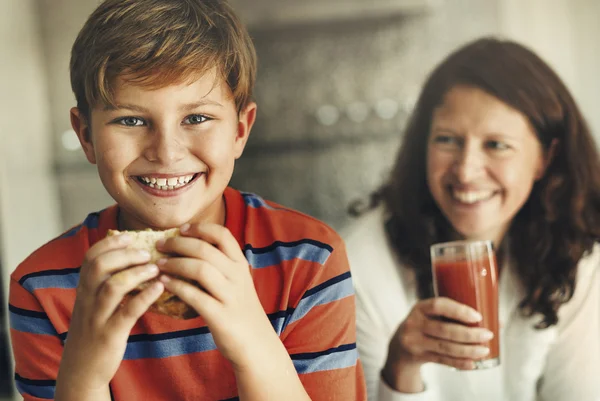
<point>320,334</point>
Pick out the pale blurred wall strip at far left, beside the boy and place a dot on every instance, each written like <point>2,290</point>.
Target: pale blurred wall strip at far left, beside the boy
<point>28,197</point>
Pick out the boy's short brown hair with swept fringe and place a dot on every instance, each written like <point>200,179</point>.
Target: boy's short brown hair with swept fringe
<point>155,43</point>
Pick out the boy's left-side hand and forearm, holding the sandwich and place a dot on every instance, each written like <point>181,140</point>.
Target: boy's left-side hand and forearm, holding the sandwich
<point>100,325</point>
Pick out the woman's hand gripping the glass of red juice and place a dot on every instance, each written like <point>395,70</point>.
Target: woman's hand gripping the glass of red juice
<point>436,330</point>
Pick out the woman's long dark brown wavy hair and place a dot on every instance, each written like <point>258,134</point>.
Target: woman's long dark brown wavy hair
<point>559,223</point>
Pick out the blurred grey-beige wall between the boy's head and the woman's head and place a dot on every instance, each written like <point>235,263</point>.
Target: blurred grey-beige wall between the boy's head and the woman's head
<point>334,97</point>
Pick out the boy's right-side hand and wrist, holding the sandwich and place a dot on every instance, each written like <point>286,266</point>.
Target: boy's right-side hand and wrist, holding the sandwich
<point>226,299</point>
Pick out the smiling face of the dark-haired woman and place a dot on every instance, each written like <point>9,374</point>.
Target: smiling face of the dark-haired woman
<point>483,158</point>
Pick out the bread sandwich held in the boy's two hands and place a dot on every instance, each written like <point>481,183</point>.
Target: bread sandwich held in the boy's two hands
<point>167,303</point>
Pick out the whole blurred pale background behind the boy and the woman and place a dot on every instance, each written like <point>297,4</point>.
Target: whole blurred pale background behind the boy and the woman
<point>336,81</point>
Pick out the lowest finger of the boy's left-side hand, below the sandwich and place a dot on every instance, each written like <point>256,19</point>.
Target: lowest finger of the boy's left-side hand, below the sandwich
<point>124,319</point>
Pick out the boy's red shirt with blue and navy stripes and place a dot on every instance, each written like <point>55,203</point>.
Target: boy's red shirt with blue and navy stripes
<point>300,273</point>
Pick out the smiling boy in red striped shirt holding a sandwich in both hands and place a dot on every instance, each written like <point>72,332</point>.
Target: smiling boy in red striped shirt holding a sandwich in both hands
<point>163,90</point>
